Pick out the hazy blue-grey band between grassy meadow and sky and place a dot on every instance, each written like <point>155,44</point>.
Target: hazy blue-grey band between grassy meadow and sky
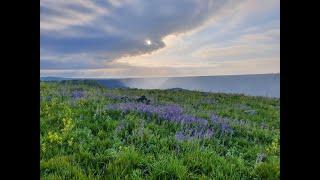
<point>254,85</point>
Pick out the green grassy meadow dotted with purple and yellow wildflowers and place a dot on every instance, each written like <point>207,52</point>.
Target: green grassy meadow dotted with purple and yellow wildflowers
<point>92,132</point>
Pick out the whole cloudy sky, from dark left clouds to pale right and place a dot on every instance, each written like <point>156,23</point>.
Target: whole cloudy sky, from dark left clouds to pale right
<point>148,38</point>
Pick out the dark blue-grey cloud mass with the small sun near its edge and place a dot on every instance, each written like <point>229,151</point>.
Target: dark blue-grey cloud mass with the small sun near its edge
<point>107,30</point>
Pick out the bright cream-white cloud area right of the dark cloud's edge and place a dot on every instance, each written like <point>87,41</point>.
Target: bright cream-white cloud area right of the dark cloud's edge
<point>231,35</point>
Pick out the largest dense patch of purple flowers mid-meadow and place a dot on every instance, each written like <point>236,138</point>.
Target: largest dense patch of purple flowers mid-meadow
<point>174,113</point>
